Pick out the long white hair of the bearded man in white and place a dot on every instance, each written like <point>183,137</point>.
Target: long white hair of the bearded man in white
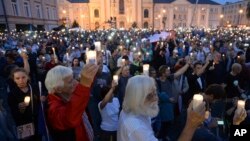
<point>136,92</point>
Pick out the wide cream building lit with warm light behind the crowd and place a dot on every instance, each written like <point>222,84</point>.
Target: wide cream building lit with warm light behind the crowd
<point>159,14</point>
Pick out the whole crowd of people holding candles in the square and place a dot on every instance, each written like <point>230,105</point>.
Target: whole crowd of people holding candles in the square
<point>49,90</point>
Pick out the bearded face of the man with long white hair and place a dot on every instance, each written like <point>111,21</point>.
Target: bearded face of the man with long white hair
<point>150,106</point>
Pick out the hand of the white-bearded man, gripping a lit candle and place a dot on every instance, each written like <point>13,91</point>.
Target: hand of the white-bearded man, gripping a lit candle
<point>195,118</point>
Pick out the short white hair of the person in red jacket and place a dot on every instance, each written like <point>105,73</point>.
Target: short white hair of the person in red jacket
<point>55,76</point>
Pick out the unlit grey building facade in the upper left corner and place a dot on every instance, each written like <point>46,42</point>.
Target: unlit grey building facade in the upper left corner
<point>27,14</point>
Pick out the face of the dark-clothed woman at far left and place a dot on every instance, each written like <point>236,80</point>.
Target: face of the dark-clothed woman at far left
<point>21,79</point>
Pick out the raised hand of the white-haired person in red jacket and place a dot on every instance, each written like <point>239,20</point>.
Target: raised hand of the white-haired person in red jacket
<point>88,74</point>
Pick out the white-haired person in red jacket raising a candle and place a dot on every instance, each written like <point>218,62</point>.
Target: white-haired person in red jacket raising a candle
<point>67,101</point>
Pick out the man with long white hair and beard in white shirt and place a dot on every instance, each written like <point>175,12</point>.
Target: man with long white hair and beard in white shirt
<point>140,105</point>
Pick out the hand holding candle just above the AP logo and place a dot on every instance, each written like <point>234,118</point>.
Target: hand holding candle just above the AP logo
<point>239,115</point>
